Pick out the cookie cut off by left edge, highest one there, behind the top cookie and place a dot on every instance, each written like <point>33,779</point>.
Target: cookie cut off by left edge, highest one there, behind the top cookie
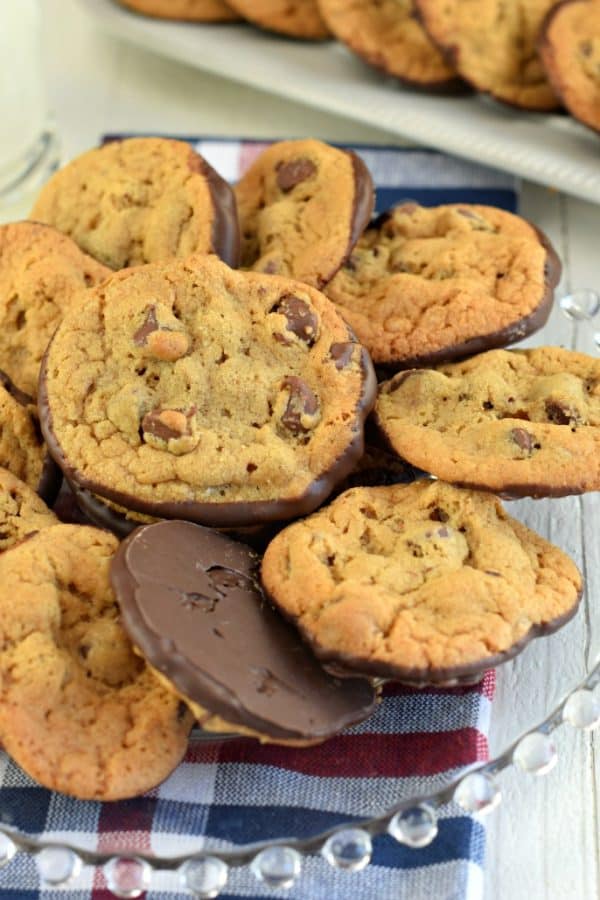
<point>41,273</point>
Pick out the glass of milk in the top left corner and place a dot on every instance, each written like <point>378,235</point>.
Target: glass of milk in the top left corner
<point>28,145</point>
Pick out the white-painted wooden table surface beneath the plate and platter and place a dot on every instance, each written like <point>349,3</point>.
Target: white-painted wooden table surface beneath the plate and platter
<point>543,842</point>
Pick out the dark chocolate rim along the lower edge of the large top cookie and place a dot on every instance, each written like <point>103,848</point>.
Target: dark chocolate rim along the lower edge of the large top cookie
<point>230,514</point>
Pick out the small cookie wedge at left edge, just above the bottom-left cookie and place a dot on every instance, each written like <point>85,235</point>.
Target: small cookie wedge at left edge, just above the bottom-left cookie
<point>22,512</point>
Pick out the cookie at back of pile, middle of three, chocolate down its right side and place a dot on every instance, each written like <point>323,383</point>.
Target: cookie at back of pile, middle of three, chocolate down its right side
<point>302,207</point>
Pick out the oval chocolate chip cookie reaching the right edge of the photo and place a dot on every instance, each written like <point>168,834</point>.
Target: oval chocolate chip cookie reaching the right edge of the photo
<point>521,422</point>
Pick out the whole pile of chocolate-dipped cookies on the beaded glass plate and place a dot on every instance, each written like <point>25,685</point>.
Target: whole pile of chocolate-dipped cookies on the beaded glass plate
<point>195,408</point>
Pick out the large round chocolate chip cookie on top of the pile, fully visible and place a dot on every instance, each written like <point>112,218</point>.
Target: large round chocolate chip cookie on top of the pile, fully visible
<point>188,390</point>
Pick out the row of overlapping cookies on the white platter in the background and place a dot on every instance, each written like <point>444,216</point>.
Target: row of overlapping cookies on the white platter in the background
<point>537,55</point>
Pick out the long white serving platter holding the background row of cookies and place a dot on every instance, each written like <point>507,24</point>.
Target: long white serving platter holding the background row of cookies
<point>549,149</point>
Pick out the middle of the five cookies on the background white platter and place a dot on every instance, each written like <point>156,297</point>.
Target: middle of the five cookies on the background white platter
<point>388,36</point>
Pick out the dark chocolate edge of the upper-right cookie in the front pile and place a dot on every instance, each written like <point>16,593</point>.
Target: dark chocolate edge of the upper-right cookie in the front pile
<point>516,331</point>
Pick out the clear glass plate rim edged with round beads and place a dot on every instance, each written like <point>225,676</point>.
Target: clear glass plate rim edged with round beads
<point>412,821</point>
